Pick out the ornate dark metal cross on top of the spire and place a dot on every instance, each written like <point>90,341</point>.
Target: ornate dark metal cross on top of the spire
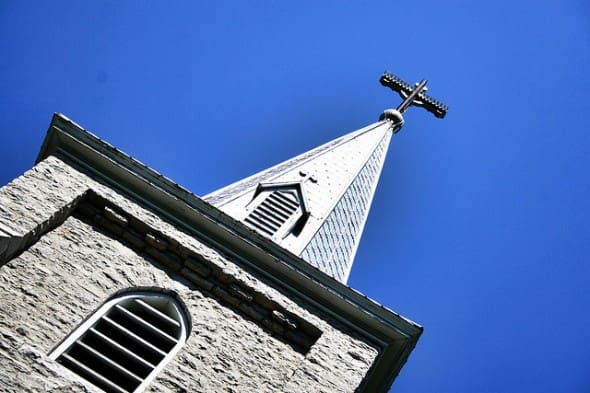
<point>413,95</point>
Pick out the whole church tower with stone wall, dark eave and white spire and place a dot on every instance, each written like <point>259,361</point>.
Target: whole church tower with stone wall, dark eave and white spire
<point>114,278</point>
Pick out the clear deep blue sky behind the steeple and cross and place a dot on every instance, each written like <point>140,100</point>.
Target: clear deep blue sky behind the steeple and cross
<point>480,226</point>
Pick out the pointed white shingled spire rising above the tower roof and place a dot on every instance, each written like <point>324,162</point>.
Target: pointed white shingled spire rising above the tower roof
<point>316,204</point>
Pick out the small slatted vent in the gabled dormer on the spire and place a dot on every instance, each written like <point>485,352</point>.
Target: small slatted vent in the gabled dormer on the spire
<point>277,209</point>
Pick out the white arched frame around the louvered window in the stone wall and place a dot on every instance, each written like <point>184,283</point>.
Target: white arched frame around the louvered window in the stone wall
<point>168,296</point>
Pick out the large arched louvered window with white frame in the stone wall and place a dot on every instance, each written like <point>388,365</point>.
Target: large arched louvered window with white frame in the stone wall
<point>126,342</point>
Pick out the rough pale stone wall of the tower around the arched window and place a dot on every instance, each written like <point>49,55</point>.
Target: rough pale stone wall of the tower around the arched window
<point>63,275</point>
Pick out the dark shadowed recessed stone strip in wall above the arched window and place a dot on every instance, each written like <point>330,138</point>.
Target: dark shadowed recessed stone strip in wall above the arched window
<point>206,276</point>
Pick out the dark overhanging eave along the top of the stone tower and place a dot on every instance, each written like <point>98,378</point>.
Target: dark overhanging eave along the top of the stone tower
<point>395,335</point>
